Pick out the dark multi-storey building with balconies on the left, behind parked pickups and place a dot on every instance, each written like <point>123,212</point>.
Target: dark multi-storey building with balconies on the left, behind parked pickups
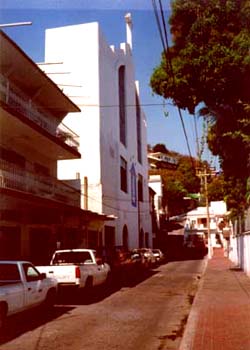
<point>38,213</point>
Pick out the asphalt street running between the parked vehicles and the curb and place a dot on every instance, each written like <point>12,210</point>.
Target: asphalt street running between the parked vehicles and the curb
<point>147,314</point>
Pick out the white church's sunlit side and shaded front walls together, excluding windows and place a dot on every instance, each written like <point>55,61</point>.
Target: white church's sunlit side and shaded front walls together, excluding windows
<point>92,66</point>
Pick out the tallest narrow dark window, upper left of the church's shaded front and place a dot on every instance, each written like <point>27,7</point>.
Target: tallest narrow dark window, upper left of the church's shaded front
<point>122,107</point>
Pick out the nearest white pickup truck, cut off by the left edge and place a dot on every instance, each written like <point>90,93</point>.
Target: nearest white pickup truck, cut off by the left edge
<point>22,287</point>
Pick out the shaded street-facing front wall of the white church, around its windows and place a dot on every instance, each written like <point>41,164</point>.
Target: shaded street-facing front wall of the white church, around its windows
<point>112,149</point>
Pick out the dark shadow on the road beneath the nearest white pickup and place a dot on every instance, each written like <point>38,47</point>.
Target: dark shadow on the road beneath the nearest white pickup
<point>29,320</point>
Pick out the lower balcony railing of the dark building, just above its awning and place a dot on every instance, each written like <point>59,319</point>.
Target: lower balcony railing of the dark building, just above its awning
<point>15,178</point>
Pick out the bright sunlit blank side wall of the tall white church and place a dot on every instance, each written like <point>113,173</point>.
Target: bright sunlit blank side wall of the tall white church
<point>77,48</point>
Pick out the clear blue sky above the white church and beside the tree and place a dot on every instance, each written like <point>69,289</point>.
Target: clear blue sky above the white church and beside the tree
<point>110,14</point>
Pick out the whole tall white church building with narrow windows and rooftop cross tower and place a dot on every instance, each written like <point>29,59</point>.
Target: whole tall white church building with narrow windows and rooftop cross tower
<point>113,168</point>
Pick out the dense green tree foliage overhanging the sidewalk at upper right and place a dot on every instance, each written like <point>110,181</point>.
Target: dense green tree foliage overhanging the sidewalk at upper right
<point>209,63</point>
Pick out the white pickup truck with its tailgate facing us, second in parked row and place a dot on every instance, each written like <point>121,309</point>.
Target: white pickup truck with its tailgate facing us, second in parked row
<point>78,268</point>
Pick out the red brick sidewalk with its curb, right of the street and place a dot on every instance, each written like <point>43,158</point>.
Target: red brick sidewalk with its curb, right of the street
<point>220,315</point>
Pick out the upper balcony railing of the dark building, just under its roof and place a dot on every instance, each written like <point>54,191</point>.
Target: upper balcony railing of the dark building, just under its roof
<point>19,101</point>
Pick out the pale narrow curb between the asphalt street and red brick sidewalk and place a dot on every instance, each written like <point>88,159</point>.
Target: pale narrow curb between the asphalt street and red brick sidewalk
<point>189,332</point>
